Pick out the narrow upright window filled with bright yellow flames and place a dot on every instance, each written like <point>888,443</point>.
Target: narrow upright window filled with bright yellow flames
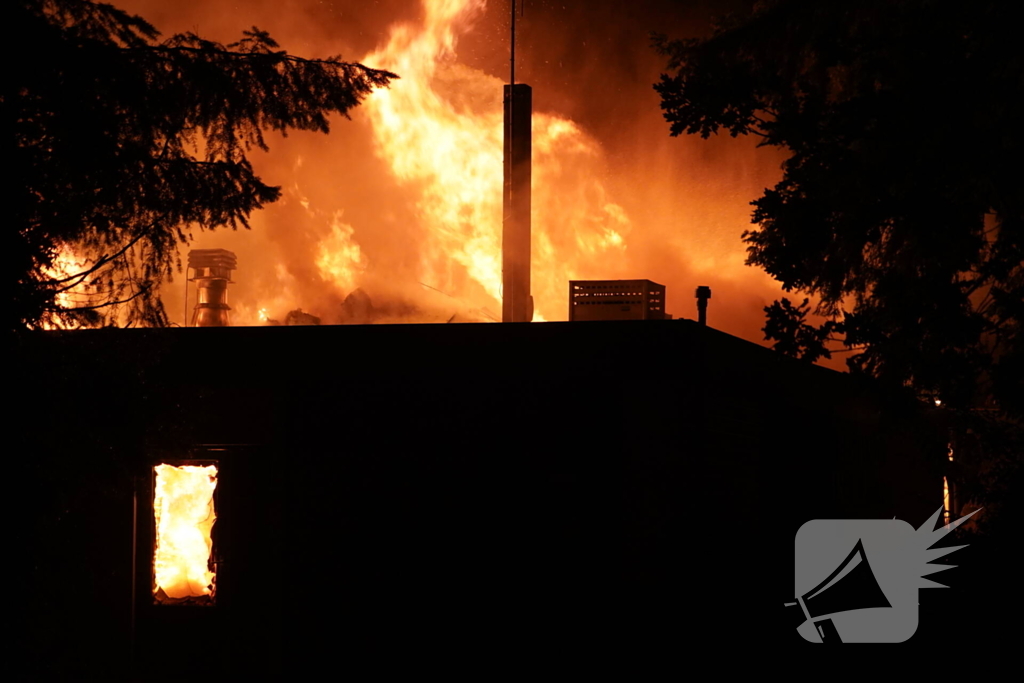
<point>184,514</point>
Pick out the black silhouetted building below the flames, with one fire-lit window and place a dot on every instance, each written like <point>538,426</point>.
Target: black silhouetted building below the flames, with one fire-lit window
<point>493,487</point>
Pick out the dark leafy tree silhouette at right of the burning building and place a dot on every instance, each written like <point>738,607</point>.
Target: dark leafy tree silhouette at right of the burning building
<point>902,207</point>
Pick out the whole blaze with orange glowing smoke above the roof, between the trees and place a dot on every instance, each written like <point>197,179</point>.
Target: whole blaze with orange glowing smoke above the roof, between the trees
<point>402,206</point>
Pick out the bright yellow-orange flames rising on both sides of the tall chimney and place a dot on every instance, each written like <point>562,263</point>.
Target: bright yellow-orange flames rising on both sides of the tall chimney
<point>441,130</point>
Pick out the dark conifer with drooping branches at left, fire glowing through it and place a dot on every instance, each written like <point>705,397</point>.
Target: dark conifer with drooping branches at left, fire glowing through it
<point>124,144</point>
